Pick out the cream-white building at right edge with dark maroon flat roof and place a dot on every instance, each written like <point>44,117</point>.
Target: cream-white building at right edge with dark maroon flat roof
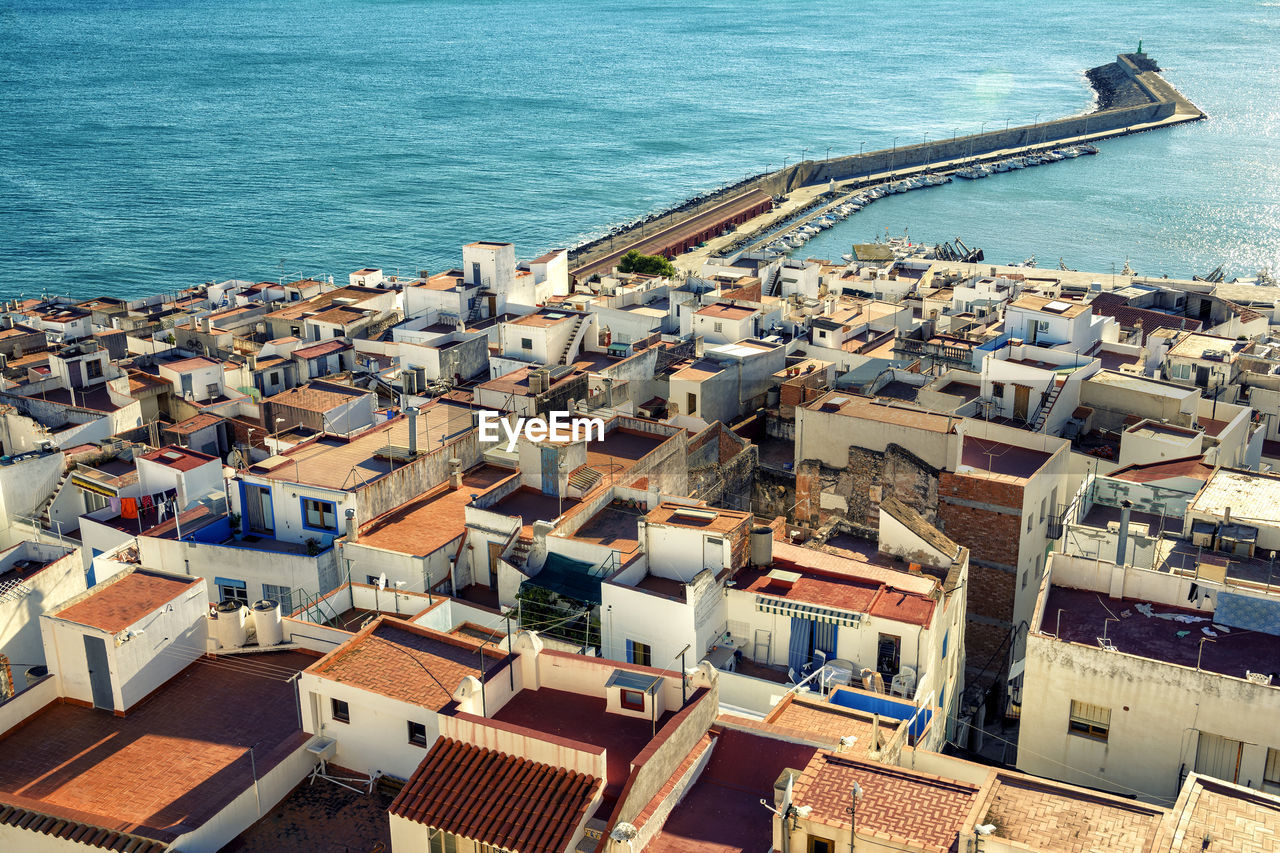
<point>1136,678</point>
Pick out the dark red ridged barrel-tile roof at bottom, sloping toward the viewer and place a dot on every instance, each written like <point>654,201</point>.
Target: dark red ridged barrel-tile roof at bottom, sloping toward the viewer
<point>496,799</point>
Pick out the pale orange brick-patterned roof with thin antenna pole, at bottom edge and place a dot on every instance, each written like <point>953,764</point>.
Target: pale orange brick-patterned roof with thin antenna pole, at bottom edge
<point>911,809</point>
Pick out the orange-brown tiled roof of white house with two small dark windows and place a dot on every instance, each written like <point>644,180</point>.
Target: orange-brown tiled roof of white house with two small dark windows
<point>406,663</point>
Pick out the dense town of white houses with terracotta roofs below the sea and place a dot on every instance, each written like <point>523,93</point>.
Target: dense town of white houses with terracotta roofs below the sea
<point>898,553</point>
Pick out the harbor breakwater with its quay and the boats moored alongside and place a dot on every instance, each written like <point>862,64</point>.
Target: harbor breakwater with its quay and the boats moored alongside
<point>1132,97</point>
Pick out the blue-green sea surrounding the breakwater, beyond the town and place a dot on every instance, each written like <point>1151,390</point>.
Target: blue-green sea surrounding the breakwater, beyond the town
<point>148,147</point>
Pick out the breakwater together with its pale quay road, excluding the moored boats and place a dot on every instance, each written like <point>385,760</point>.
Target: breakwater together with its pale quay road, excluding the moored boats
<point>1133,99</point>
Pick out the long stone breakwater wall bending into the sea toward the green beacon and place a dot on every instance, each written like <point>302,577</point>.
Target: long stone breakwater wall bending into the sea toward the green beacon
<point>1132,98</point>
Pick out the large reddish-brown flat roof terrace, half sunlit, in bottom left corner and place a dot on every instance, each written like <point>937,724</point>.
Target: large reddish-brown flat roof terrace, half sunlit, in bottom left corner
<point>173,763</point>
